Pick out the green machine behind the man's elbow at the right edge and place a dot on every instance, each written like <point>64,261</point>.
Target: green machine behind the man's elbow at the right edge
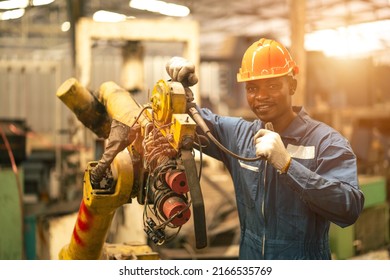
<point>371,230</point>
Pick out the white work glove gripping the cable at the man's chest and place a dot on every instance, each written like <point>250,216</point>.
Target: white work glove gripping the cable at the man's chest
<point>270,146</point>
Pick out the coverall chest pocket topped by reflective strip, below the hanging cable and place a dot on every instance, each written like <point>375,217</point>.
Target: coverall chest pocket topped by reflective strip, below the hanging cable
<point>247,189</point>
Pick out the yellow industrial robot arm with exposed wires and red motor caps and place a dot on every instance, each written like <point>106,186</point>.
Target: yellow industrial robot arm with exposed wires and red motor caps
<point>156,167</point>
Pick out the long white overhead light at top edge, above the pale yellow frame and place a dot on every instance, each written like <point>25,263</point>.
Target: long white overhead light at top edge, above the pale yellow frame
<point>155,6</point>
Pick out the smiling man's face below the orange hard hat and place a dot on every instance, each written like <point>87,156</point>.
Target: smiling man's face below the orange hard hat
<point>270,99</point>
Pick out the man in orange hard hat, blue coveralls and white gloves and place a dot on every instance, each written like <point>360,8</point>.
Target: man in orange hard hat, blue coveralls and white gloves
<point>307,174</point>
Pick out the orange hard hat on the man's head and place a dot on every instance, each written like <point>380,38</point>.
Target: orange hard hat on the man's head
<point>264,59</point>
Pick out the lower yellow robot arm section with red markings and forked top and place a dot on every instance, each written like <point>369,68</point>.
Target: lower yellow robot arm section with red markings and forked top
<point>97,211</point>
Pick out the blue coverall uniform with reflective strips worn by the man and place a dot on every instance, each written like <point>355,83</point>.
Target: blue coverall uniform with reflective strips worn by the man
<point>287,216</point>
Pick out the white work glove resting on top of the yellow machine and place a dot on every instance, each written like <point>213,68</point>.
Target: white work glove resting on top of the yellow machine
<point>181,70</point>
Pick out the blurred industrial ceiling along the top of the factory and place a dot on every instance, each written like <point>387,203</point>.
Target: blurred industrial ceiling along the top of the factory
<point>221,22</point>
